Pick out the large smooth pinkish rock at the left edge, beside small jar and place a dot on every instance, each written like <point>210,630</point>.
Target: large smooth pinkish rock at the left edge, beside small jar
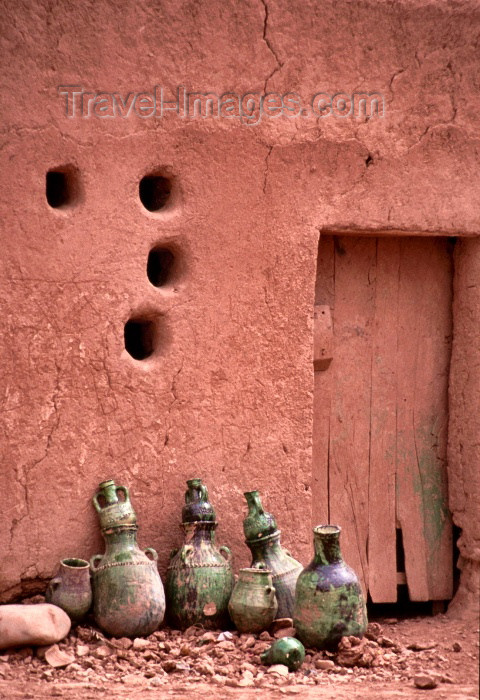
<point>38,625</point>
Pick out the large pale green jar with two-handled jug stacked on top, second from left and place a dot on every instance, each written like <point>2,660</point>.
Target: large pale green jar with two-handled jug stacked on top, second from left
<point>128,595</point>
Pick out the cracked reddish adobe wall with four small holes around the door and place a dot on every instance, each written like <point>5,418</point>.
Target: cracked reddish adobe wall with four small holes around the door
<point>228,394</point>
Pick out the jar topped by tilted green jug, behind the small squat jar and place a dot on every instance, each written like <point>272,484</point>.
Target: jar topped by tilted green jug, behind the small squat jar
<point>263,539</point>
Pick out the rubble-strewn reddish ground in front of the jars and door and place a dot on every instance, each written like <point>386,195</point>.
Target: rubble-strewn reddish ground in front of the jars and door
<point>398,659</point>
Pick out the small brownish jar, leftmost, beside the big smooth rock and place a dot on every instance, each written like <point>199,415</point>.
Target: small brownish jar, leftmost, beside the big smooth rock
<point>71,589</point>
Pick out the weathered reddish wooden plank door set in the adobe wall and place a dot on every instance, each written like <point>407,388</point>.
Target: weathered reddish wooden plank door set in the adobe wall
<point>383,317</point>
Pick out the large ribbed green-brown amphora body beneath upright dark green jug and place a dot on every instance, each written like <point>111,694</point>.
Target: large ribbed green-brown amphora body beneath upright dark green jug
<point>199,580</point>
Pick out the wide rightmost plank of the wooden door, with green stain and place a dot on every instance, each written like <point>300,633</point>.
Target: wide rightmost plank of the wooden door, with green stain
<point>424,324</point>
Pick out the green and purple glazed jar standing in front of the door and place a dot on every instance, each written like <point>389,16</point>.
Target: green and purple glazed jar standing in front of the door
<point>329,603</point>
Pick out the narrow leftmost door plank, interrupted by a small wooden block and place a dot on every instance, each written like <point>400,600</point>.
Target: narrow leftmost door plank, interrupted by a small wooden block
<point>324,294</point>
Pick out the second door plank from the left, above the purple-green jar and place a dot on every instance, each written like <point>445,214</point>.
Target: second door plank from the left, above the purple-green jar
<point>355,261</point>
